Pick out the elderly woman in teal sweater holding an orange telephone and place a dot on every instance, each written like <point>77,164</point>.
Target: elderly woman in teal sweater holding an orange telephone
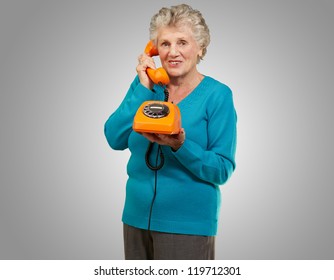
<point>172,213</point>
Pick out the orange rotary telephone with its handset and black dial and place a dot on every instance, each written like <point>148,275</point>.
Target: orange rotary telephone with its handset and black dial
<point>157,116</point>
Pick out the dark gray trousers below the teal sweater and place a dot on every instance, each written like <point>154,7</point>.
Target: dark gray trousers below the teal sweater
<point>142,244</point>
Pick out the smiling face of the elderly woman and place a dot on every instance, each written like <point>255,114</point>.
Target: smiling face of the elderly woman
<point>178,50</point>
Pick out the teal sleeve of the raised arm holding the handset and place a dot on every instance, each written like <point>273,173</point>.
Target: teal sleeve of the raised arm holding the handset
<point>119,125</point>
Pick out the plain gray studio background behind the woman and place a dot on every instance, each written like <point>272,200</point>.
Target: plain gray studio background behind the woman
<point>65,67</point>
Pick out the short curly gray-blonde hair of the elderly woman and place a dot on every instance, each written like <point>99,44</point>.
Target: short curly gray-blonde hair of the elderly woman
<point>178,15</point>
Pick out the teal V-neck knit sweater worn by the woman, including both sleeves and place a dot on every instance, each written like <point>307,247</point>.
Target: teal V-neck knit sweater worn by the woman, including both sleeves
<point>182,197</point>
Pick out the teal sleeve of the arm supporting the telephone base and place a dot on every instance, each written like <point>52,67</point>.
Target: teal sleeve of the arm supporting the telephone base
<point>216,163</point>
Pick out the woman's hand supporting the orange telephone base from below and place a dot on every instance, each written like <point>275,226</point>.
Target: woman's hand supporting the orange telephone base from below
<point>175,141</point>
